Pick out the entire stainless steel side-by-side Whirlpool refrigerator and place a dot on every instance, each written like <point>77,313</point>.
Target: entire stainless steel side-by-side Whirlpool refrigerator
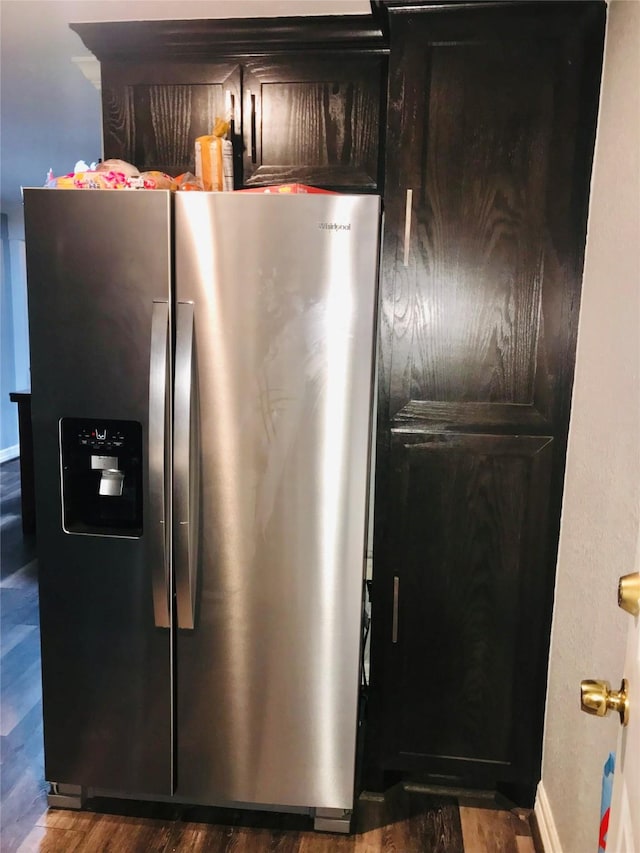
<point>201,371</point>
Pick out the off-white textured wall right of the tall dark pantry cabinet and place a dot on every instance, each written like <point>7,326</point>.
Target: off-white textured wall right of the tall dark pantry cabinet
<point>601,514</point>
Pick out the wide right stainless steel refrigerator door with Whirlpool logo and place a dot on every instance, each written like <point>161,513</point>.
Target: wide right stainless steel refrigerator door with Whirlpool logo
<point>282,291</point>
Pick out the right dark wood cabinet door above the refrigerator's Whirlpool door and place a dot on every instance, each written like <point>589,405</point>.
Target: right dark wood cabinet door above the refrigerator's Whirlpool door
<point>314,120</point>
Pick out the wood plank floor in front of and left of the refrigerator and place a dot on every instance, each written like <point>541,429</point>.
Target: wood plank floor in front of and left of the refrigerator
<point>404,820</point>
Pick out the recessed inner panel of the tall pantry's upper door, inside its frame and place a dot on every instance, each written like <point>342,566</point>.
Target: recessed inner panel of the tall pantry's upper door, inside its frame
<point>469,298</point>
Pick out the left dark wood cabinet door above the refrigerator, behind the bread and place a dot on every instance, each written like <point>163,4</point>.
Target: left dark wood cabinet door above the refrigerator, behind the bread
<point>154,111</point>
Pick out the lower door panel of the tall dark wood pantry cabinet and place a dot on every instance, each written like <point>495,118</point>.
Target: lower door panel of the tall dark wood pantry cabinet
<point>471,530</point>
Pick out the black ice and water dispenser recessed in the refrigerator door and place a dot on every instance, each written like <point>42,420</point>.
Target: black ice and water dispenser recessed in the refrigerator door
<point>101,476</point>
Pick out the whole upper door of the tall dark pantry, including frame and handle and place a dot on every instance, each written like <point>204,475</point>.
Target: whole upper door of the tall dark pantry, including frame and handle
<point>490,127</point>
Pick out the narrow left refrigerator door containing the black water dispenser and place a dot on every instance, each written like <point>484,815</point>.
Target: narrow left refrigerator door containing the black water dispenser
<point>98,266</point>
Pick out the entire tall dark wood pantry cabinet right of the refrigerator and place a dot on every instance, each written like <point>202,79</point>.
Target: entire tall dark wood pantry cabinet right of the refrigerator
<point>491,119</point>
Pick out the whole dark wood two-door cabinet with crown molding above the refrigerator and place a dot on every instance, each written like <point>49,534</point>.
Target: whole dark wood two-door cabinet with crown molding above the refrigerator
<point>305,96</point>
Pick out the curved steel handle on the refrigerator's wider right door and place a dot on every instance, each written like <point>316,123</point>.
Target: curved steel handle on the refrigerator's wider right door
<point>186,468</point>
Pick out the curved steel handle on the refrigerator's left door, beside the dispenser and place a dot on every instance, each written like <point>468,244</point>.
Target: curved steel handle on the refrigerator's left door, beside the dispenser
<point>159,442</point>
